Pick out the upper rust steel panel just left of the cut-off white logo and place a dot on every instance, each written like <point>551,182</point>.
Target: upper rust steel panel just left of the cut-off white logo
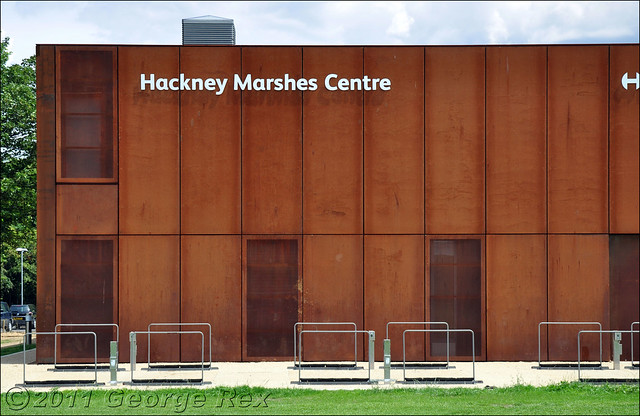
<point>577,137</point>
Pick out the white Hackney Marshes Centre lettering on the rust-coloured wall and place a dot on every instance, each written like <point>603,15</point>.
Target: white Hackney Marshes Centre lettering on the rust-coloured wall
<point>331,82</point>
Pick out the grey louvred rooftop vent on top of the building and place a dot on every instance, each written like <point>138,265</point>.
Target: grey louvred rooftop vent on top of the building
<point>208,30</point>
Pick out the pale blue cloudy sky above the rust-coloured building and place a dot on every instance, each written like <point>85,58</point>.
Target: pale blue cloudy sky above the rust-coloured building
<point>28,23</point>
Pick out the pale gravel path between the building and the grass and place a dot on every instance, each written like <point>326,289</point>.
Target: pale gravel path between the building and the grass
<point>284,375</point>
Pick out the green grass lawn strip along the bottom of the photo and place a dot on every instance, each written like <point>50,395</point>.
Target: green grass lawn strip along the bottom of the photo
<point>565,398</point>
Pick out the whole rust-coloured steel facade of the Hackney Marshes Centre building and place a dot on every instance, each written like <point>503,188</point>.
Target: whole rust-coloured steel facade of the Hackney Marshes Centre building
<point>252,187</point>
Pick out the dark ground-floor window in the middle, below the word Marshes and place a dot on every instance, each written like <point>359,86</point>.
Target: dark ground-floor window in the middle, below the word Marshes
<point>272,297</point>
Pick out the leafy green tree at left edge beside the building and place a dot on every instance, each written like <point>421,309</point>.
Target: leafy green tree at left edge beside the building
<point>18,203</point>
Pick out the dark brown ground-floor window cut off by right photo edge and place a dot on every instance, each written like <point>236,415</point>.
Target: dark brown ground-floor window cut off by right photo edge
<point>624,257</point>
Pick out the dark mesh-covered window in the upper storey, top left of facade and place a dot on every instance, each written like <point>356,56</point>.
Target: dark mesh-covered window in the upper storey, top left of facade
<point>86,110</point>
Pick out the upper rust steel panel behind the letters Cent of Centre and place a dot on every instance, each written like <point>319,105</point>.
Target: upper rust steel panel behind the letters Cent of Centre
<point>332,131</point>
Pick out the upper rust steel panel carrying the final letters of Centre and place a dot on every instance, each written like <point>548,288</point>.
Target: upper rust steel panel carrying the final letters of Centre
<point>393,169</point>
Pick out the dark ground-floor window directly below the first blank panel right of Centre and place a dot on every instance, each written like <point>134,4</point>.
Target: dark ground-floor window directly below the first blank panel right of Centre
<point>455,294</point>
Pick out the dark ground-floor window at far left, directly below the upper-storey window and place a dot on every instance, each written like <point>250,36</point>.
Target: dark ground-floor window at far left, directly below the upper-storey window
<point>86,295</point>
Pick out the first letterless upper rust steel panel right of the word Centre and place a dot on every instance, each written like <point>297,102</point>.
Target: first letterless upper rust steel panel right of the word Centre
<point>454,135</point>
